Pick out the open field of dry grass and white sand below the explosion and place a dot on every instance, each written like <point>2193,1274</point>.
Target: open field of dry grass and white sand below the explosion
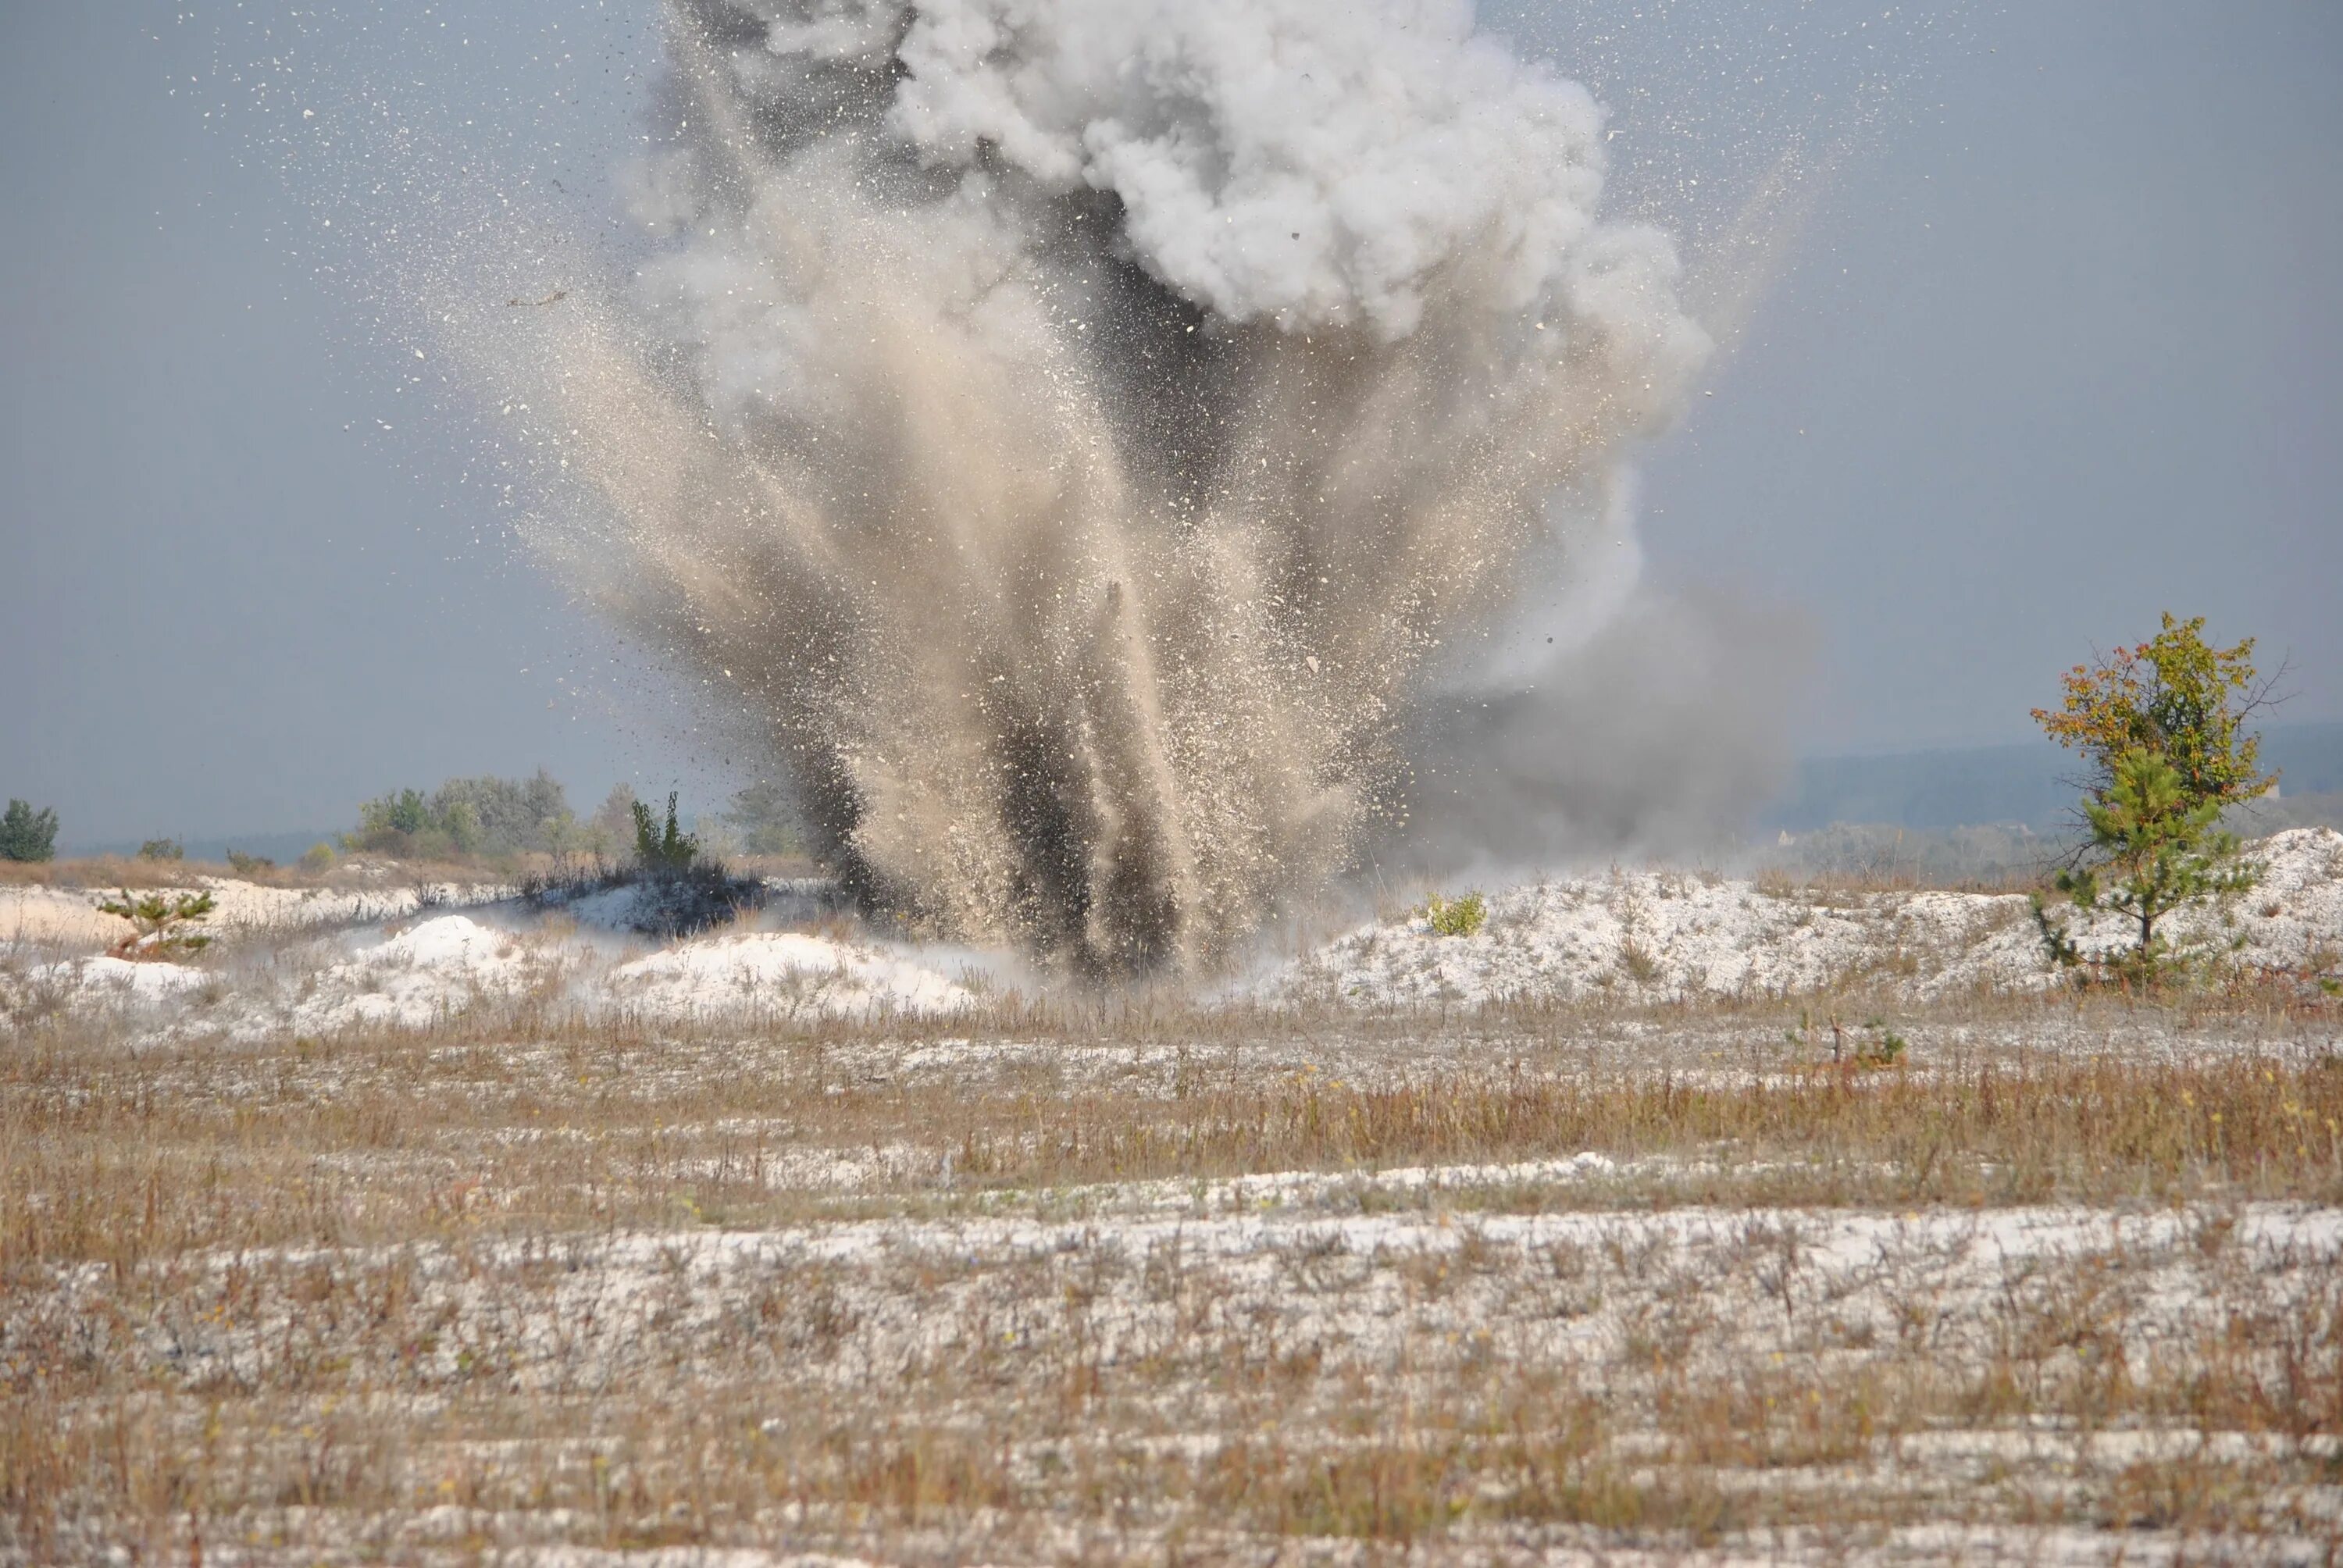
<point>1070,1281</point>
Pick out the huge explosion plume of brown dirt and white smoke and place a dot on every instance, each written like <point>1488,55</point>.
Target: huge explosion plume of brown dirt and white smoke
<point>1079,432</point>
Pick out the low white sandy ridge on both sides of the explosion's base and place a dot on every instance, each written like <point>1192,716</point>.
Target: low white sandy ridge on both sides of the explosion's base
<point>322,962</point>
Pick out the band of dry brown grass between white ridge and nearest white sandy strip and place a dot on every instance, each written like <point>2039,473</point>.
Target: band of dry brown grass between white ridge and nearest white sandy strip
<point>114,1152</point>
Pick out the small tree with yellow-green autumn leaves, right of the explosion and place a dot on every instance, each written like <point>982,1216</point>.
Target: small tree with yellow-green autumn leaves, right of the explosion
<point>2164,730</point>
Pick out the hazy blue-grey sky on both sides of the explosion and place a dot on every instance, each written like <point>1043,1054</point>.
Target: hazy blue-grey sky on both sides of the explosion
<point>2054,350</point>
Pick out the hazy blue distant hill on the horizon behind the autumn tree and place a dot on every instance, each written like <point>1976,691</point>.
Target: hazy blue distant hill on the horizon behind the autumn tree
<point>2004,784</point>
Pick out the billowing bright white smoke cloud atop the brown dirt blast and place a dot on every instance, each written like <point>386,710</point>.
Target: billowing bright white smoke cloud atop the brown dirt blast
<point>1276,158</point>
